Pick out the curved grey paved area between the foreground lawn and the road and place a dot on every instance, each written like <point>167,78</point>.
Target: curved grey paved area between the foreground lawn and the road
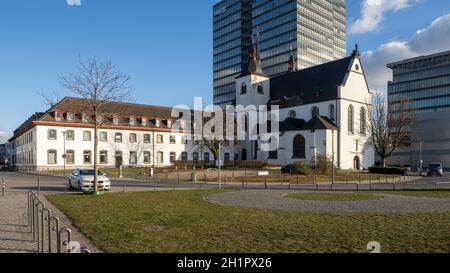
<point>276,200</point>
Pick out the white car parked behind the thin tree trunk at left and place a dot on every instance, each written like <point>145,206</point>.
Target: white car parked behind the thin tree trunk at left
<point>83,180</point>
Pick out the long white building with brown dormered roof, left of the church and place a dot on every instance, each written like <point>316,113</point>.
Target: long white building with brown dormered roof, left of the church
<point>130,135</point>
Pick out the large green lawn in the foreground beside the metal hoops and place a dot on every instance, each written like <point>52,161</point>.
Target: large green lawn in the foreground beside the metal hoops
<point>182,221</point>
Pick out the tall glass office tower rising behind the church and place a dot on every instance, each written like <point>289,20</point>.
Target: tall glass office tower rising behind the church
<point>311,32</point>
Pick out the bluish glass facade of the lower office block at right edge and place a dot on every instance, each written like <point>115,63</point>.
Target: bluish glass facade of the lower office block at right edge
<point>424,82</point>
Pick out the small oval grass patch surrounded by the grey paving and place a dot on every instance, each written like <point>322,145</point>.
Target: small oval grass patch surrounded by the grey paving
<point>321,196</point>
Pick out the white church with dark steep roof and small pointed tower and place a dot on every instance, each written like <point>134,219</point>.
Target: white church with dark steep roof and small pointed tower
<point>323,111</point>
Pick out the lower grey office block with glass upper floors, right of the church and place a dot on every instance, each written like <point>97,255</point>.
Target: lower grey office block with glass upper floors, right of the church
<point>425,82</point>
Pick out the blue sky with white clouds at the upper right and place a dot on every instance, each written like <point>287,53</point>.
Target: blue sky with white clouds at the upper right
<point>165,46</point>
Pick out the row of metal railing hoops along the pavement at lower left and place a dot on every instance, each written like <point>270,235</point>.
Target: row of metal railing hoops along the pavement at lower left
<point>42,220</point>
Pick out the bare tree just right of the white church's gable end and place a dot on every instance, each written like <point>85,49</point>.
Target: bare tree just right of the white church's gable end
<point>389,124</point>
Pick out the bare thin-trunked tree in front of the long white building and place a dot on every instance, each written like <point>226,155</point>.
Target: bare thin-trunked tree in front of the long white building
<point>99,83</point>
